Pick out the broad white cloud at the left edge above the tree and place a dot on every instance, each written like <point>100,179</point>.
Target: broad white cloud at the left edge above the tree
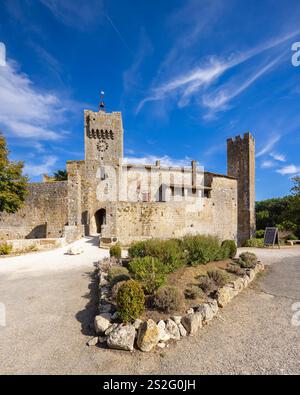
<point>26,111</point>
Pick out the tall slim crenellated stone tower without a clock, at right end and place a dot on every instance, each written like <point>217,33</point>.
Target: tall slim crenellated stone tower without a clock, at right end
<point>241,165</point>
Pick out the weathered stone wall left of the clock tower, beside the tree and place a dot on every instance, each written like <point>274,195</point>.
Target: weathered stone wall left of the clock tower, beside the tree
<point>44,214</point>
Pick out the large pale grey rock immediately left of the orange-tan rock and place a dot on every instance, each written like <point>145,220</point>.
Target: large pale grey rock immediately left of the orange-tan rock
<point>122,338</point>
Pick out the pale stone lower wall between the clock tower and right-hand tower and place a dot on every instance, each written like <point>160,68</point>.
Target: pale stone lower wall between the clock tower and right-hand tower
<point>217,215</point>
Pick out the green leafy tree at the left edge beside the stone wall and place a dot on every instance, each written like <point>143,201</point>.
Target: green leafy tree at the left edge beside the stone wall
<point>13,184</point>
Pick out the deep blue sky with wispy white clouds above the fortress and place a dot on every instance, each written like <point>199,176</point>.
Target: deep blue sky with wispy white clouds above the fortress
<point>186,74</point>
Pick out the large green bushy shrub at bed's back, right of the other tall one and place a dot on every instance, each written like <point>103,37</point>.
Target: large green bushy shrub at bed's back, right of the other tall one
<point>202,249</point>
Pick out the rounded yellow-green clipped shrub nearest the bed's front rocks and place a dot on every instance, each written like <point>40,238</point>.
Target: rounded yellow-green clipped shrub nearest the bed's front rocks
<point>130,301</point>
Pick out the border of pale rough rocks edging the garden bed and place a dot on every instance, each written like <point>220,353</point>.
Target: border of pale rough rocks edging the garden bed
<point>147,335</point>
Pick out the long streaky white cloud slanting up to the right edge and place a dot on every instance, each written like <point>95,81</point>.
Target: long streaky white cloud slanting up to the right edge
<point>196,82</point>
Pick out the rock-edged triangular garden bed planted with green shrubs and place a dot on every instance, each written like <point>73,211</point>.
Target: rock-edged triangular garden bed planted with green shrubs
<point>167,289</point>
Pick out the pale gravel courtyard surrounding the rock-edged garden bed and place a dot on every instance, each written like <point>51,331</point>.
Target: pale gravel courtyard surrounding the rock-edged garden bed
<point>49,307</point>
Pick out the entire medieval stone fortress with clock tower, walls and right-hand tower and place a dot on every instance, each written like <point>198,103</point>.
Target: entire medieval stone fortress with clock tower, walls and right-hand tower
<point>126,202</point>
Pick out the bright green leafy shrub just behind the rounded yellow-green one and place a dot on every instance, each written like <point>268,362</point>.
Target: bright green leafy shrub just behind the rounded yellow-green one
<point>149,271</point>
